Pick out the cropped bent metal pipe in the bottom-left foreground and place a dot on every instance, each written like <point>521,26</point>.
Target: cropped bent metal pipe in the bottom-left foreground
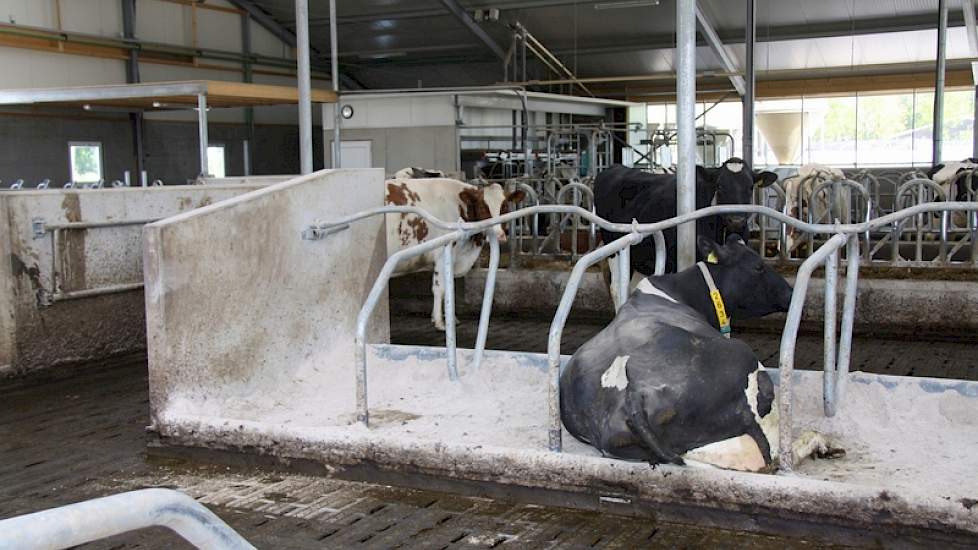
<point>92,520</point>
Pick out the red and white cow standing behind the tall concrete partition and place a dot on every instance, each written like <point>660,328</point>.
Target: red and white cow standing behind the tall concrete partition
<point>447,200</point>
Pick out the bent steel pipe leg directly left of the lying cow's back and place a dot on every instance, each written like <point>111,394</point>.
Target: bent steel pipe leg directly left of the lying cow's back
<point>557,328</point>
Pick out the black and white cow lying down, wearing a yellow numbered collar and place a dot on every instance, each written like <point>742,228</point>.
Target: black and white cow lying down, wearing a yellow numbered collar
<point>662,384</point>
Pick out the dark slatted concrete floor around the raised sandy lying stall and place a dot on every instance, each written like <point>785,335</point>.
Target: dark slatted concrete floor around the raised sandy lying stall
<point>68,437</point>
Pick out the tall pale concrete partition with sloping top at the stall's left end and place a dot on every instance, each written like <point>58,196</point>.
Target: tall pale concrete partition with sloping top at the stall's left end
<point>255,308</point>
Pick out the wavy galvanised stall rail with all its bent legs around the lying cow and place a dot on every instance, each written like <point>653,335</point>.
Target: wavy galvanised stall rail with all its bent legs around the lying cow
<point>836,367</point>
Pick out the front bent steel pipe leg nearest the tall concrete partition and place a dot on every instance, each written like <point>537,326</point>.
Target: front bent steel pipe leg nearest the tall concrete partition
<point>360,340</point>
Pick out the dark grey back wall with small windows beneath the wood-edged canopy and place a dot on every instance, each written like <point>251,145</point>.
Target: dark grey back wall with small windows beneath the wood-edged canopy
<point>34,148</point>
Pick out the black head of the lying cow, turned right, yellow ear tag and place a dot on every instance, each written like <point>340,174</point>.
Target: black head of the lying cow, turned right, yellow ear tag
<point>750,288</point>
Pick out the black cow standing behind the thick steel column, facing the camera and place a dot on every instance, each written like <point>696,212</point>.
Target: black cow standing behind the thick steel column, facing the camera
<point>622,194</point>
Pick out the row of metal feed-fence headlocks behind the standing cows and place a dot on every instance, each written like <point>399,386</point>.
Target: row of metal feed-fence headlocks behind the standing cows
<point>922,242</point>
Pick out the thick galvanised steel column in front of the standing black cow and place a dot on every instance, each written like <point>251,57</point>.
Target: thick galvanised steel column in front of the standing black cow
<point>685,124</point>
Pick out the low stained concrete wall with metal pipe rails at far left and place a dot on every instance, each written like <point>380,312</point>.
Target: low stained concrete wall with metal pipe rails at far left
<point>32,336</point>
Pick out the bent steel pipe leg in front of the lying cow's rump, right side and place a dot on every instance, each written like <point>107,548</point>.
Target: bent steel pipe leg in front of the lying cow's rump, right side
<point>788,338</point>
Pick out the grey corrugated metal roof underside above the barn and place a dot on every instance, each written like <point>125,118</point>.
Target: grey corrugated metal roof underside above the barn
<point>385,43</point>
